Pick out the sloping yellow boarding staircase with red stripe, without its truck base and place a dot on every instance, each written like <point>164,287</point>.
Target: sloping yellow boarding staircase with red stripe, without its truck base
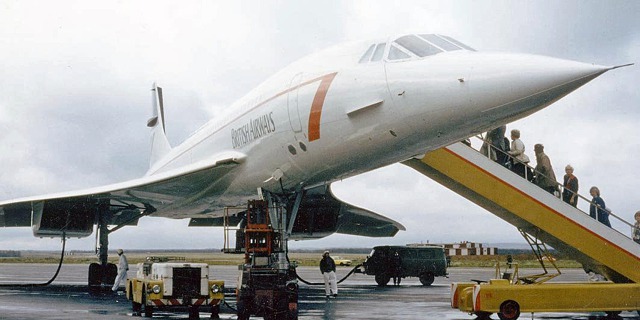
<point>533,210</point>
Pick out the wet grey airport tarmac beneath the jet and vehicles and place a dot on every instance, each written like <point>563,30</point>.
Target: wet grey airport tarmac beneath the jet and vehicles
<point>358,298</point>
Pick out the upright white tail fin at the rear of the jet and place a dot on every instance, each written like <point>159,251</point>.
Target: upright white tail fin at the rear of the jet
<point>159,144</point>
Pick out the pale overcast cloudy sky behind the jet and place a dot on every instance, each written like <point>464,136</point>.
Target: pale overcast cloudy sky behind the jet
<point>75,79</point>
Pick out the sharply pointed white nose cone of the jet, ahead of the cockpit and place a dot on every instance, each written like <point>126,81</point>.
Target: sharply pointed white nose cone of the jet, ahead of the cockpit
<point>511,86</point>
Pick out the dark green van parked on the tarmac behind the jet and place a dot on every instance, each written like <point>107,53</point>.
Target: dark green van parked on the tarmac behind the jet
<point>425,262</point>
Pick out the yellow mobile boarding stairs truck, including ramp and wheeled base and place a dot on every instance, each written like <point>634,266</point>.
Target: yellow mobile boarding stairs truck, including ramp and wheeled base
<point>545,217</point>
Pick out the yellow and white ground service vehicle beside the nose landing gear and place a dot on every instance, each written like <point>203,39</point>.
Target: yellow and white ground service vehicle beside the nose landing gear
<point>174,286</point>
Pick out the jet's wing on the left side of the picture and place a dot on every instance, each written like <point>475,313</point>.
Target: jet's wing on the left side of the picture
<point>74,213</point>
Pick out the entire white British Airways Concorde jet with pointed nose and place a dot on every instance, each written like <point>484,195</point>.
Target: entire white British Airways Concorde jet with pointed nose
<point>334,114</point>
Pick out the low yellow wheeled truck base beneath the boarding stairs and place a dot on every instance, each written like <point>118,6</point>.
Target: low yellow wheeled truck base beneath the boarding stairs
<point>512,295</point>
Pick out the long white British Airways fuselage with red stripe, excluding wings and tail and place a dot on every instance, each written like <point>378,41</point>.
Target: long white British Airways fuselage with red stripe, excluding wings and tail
<point>328,117</point>
